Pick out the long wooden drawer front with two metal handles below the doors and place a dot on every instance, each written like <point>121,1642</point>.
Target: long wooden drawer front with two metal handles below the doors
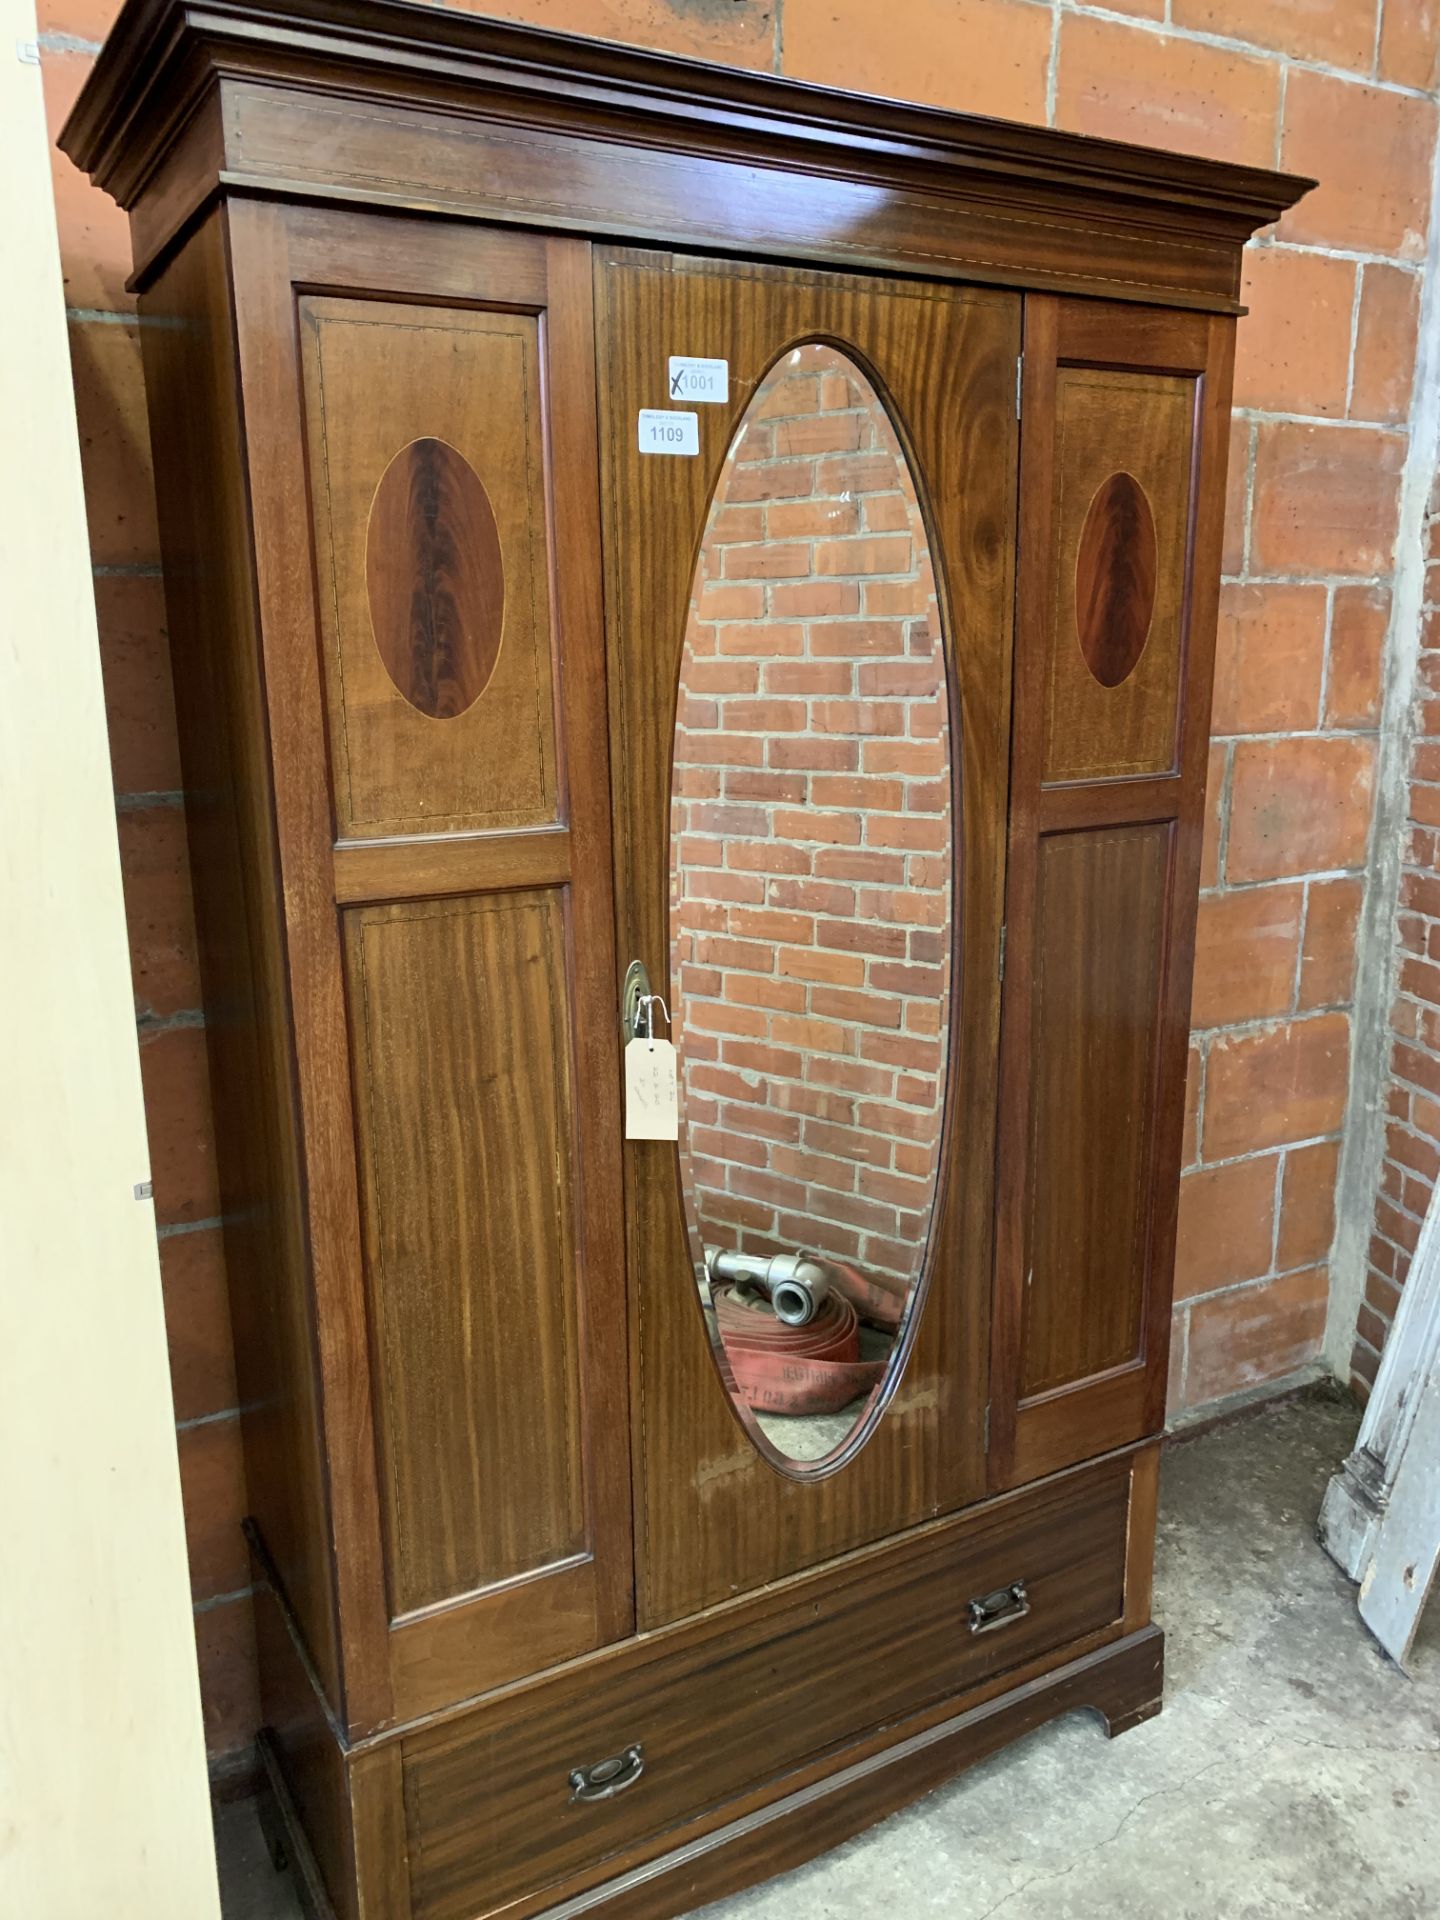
<point>491,1804</point>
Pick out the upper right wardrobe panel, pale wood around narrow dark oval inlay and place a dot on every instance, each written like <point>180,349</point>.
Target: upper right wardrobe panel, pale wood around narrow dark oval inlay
<point>1122,517</point>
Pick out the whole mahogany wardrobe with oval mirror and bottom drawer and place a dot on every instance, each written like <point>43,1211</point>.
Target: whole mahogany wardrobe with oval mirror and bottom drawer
<point>692,604</point>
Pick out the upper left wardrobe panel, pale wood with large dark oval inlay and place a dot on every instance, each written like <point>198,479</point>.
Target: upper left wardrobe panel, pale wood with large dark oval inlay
<point>431,496</point>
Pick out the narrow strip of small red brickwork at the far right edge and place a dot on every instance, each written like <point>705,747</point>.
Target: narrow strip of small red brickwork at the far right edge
<point>1412,1095</point>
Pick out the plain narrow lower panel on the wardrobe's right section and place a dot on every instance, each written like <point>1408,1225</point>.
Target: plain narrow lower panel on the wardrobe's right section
<point>1099,949</point>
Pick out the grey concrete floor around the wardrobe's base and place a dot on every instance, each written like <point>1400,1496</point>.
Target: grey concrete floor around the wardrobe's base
<point>1295,1771</point>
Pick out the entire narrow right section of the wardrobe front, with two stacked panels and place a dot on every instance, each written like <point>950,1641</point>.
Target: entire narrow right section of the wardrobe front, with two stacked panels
<point>1126,414</point>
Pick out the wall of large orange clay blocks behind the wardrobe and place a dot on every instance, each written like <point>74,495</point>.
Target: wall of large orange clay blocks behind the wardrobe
<point>1345,89</point>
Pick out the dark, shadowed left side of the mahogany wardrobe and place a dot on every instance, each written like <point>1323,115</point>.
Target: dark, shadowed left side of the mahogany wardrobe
<point>214,627</point>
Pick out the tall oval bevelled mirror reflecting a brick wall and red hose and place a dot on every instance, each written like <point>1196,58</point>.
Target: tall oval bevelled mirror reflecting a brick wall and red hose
<point>811,907</point>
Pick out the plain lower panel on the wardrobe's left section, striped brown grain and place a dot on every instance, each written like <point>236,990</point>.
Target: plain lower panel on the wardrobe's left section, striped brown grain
<point>464,1092</point>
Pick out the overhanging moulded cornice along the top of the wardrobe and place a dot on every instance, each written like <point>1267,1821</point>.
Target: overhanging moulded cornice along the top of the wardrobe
<point>443,110</point>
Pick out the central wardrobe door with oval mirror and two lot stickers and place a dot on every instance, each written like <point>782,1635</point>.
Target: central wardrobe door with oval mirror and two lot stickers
<point>809,583</point>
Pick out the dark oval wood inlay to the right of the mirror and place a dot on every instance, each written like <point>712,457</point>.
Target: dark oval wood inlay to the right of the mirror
<point>1116,579</point>
